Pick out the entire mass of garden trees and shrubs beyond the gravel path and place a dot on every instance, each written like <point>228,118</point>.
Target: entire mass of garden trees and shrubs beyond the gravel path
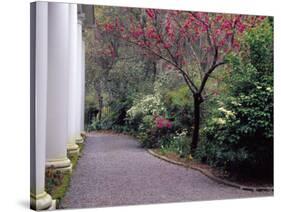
<point>168,77</point>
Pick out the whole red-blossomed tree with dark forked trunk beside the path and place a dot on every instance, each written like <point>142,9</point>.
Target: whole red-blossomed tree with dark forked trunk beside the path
<point>194,44</point>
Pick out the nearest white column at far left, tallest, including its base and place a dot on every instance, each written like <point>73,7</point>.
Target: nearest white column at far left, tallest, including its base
<point>40,200</point>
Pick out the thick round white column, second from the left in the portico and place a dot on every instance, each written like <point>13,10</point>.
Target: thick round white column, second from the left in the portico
<point>58,86</point>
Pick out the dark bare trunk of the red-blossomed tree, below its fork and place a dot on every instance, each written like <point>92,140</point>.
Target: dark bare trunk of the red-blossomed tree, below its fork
<point>196,122</point>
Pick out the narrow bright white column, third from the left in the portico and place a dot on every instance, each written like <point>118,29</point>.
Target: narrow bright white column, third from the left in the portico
<point>72,147</point>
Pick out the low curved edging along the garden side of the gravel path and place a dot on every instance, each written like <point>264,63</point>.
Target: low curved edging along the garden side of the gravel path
<point>210,175</point>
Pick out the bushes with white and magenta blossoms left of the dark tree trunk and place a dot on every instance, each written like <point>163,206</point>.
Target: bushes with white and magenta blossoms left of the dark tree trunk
<point>156,117</point>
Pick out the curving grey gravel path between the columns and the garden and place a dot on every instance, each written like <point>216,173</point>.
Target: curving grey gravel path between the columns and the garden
<point>115,170</point>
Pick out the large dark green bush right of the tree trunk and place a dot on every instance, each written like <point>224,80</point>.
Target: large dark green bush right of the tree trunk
<point>239,137</point>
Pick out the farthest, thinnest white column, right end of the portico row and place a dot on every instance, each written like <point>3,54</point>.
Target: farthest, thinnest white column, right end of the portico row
<point>79,139</point>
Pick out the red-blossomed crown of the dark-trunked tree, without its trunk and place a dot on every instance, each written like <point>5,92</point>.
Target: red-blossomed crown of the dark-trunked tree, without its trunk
<point>174,34</point>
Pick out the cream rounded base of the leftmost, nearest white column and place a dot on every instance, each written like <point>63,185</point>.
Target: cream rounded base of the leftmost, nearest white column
<point>42,201</point>
